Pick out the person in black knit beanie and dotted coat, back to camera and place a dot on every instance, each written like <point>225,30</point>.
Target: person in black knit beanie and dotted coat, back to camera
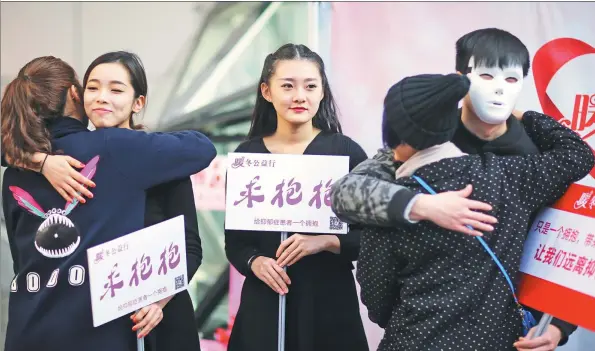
<point>435,289</point>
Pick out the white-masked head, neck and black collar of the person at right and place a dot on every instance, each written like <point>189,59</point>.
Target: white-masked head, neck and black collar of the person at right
<point>497,63</point>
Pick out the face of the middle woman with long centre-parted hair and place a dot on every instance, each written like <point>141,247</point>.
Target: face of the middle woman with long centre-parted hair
<point>295,90</point>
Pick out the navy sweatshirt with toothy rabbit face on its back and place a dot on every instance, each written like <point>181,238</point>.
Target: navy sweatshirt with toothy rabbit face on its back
<point>56,315</point>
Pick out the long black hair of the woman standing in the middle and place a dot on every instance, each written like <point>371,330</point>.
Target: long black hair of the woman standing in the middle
<point>264,118</point>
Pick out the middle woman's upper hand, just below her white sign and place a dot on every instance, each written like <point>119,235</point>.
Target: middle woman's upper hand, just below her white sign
<point>297,246</point>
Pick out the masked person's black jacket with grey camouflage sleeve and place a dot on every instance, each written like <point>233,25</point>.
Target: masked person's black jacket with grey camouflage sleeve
<point>377,200</point>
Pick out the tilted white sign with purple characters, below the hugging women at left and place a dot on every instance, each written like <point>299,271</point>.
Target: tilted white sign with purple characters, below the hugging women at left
<point>137,269</point>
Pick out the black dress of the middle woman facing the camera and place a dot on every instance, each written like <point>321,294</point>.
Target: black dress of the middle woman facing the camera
<point>322,304</point>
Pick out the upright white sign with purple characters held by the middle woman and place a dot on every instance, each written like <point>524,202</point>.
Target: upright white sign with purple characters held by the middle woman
<point>283,193</point>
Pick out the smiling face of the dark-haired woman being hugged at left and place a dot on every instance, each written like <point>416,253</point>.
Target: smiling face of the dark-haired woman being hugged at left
<point>109,97</point>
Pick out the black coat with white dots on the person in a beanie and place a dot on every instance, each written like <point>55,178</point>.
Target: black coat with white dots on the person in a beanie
<point>433,289</point>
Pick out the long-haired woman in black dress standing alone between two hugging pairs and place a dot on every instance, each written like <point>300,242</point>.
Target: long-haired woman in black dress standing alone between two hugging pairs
<point>295,113</point>
